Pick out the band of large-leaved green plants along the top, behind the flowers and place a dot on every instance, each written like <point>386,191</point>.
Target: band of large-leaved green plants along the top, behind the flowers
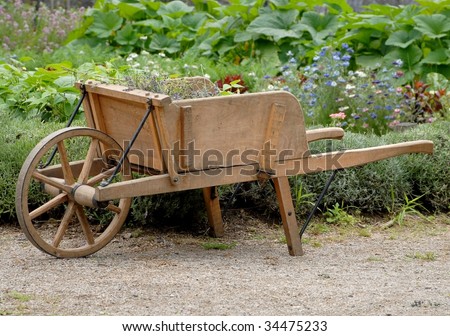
<point>248,30</point>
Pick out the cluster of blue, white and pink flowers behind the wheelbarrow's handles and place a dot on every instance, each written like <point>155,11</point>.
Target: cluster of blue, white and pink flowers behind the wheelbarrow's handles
<point>333,94</point>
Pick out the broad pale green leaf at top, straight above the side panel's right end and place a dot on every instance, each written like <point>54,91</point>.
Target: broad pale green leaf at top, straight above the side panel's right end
<point>277,25</point>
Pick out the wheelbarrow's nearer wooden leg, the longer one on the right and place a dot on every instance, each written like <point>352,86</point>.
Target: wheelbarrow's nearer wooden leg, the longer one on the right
<point>287,211</point>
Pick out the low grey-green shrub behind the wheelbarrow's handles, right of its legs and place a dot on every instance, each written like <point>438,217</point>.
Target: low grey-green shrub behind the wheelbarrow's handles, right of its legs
<point>382,186</point>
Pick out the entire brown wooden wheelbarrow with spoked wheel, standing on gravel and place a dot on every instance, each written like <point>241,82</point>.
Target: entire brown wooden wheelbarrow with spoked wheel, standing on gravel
<point>140,143</point>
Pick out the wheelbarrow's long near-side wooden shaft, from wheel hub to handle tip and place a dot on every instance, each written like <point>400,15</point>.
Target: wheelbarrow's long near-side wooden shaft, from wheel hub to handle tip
<point>315,163</point>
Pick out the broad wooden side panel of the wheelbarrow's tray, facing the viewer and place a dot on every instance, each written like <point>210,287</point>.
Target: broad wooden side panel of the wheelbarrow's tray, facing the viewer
<point>231,130</point>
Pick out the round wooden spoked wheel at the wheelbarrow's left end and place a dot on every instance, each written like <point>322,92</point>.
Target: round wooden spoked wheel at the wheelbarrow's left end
<point>47,210</point>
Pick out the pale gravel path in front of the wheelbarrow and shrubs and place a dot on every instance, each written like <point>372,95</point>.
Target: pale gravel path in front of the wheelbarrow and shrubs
<point>402,271</point>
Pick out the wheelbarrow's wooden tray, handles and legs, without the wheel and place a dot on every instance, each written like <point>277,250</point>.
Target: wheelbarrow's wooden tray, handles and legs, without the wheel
<point>203,143</point>
